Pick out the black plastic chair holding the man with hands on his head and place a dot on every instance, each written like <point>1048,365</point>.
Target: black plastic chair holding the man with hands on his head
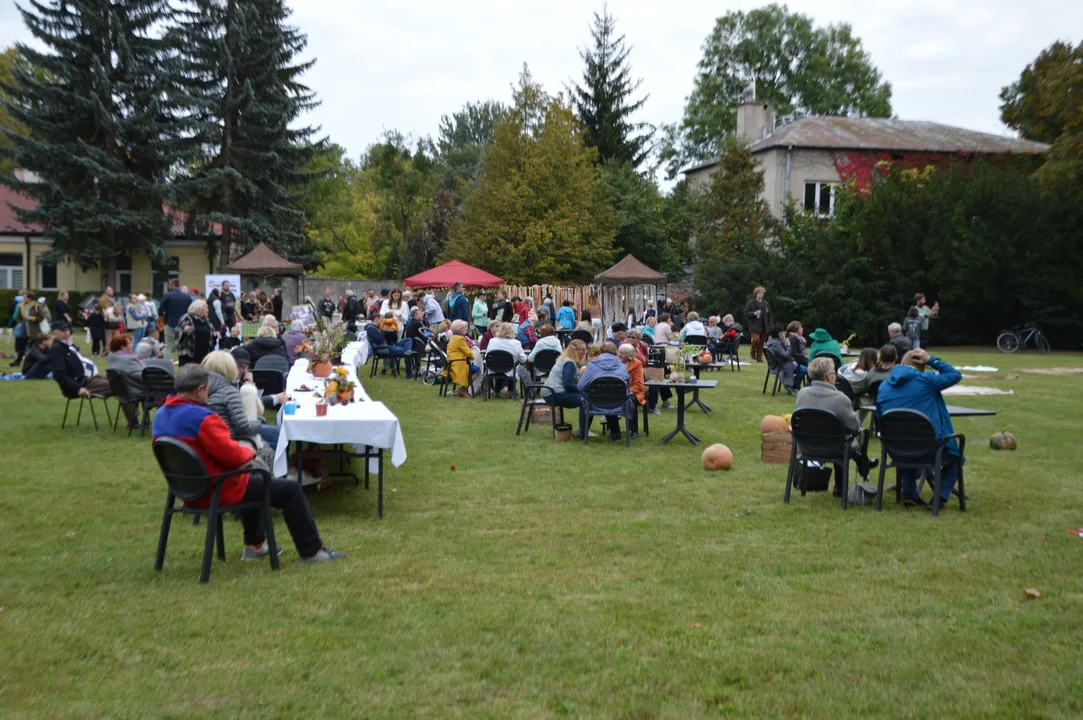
<point>909,439</point>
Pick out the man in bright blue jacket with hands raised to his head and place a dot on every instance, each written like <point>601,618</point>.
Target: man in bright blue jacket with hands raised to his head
<point>911,388</point>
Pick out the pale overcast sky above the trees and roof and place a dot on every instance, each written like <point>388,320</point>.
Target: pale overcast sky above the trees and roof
<point>401,66</point>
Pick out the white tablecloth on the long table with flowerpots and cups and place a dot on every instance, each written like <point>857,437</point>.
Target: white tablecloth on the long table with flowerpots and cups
<point>360,424</point>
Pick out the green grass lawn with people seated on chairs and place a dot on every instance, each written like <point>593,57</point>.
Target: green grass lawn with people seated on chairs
<point>517,578</point>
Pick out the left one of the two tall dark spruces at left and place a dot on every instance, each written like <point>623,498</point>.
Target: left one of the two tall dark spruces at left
<point>98,103</point>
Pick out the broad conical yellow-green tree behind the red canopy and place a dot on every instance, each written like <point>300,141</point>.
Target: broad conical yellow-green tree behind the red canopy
<point>540,213</point>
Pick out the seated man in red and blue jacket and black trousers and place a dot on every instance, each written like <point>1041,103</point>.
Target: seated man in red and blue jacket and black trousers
<point>187,417</point>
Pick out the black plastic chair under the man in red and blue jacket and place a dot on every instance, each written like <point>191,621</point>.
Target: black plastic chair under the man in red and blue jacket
<point>189,480</point>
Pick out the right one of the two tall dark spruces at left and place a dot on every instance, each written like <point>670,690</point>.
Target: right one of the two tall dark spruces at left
<point>244,88</point>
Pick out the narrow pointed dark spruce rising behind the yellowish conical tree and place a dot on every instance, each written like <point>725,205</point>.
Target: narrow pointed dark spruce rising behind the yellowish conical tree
<point>603,102</point>
